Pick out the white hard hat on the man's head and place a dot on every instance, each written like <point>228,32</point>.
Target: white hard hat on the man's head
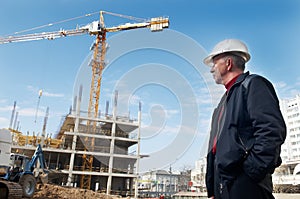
<point>233,46</point>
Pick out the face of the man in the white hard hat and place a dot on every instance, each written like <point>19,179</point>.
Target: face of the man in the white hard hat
<point>219,68</point>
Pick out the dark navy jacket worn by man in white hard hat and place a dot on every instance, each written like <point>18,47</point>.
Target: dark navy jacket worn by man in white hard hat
<point>250,133</point>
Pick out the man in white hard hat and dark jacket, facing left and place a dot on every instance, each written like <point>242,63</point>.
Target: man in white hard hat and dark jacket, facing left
<point>247,128</point>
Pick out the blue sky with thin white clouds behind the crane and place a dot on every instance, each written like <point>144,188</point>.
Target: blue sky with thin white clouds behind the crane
<point>270,29</point>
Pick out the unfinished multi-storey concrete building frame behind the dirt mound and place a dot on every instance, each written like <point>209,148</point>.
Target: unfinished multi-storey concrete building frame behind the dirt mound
<point>101,153</point>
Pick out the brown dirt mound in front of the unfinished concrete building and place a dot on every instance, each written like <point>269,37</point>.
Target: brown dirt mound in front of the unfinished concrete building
<point>49,191</point>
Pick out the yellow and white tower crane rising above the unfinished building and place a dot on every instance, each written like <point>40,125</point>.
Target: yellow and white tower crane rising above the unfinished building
<point>98,29</point>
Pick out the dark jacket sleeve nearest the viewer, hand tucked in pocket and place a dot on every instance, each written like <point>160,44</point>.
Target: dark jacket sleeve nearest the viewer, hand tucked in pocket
<point>269,129</point>
